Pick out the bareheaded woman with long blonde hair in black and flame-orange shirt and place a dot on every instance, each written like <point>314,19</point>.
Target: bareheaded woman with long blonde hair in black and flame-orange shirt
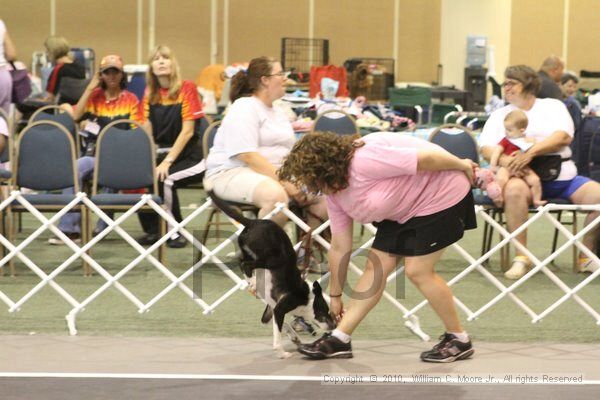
<point>172,111</point>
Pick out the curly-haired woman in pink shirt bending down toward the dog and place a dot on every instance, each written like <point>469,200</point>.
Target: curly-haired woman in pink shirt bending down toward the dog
<point>419,197</point>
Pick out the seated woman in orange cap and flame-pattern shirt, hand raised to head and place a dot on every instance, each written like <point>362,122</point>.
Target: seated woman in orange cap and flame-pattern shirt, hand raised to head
<point>105,100</point>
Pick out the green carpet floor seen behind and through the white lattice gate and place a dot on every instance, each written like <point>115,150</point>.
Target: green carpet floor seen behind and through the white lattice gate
<point>239,316</point>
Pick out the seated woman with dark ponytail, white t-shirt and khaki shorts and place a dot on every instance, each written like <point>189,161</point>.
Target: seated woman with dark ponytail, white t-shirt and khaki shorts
<point>251,143</point>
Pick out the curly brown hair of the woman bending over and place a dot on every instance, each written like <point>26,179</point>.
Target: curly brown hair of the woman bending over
<point>320,160</point>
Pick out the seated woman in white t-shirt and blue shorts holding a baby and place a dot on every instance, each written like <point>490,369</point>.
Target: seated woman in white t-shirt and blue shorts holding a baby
<point>552,128</point>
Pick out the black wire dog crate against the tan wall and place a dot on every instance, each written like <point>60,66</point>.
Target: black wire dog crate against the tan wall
<point>299,54</point>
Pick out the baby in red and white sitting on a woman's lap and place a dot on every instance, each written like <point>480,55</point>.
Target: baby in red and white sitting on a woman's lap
<point>515,124</point>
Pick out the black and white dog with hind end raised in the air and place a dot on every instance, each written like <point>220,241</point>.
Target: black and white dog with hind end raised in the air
<point>269,263</point>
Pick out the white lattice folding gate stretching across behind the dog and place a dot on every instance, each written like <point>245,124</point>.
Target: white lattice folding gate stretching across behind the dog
<point>410,315</point>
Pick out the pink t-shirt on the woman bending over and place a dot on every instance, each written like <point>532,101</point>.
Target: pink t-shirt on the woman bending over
<point>384,183</point>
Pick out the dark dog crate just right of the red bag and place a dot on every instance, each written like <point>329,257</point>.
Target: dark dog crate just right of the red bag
<point>382,72</point>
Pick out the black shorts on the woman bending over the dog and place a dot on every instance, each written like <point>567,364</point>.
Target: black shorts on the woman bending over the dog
<point>427,234</point>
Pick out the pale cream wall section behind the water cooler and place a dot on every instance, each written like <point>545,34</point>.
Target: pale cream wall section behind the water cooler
<point>461,18</point>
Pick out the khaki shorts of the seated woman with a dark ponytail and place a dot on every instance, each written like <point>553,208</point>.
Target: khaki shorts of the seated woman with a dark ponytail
<point>236,184</point>
